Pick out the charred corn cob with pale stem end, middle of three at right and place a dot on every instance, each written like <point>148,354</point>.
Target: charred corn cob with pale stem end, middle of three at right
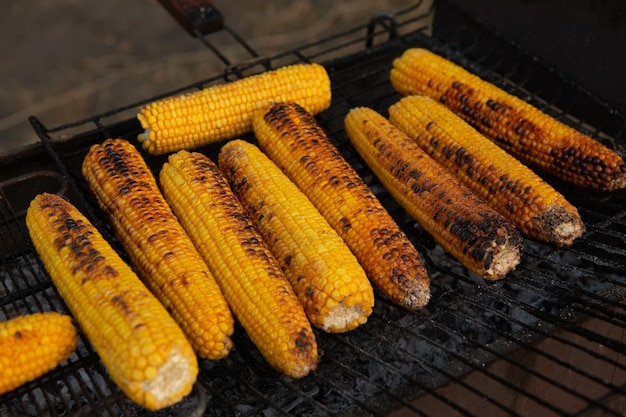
<point>537,209</point>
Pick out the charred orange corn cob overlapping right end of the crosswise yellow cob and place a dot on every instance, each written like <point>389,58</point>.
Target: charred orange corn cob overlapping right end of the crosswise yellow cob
<point>290,136</point>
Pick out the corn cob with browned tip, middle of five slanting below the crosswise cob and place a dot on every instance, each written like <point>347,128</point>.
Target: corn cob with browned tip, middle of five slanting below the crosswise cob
<point>250,277</point>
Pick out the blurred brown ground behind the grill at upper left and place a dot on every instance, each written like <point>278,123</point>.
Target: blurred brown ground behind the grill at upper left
<point>64,60</point>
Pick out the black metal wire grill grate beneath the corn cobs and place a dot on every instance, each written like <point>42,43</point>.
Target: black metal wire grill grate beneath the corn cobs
<point>547,340</point>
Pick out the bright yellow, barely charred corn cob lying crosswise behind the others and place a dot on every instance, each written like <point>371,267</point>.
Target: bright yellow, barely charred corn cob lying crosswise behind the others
<point>225,111</point>
